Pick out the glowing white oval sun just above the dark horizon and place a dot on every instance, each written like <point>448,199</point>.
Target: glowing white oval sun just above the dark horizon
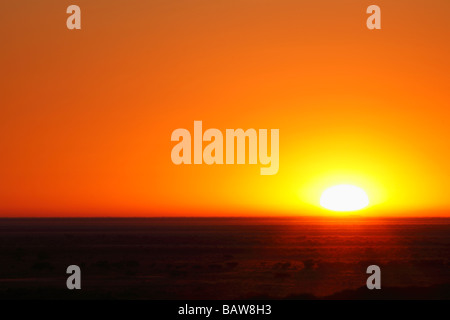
<point>344,197</point>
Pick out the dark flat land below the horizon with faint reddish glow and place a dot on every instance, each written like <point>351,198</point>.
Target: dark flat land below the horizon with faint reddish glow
<point>225,258</point>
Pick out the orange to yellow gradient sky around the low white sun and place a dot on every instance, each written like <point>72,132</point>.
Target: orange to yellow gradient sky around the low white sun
<point>86,116</point>
